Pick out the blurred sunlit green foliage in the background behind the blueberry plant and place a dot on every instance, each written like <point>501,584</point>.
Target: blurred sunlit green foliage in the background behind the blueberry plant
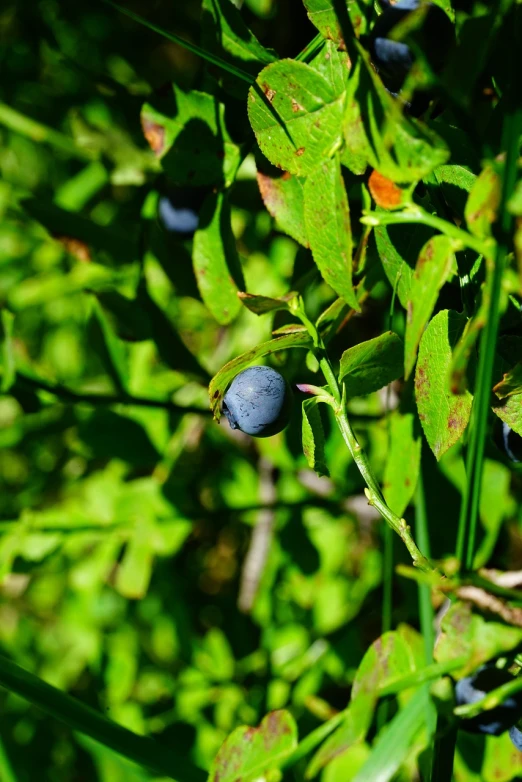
<point>124,527</point>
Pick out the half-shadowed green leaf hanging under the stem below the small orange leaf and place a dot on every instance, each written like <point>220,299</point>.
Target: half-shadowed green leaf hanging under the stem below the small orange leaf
<point>398,249</point>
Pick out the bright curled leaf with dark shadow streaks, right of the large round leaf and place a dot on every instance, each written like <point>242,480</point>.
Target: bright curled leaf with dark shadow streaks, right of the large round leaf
<point>401,149</point>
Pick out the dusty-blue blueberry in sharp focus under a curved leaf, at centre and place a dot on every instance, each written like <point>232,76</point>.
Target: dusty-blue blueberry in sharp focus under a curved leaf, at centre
<point>258,402</point>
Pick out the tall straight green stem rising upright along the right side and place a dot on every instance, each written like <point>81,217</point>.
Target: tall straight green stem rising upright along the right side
<point>479,418</point>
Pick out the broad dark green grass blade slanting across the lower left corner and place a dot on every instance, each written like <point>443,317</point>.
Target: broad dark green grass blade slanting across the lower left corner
<point>141,749</point>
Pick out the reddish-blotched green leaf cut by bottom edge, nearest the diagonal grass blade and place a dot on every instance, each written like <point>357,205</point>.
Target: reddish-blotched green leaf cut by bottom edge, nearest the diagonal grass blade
<point>249,753</point>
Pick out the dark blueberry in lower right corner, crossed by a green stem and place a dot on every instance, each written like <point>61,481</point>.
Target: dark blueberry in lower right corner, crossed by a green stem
<point>473,688</point>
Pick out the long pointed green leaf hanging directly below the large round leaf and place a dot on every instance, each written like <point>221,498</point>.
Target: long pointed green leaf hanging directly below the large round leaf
<point>327,220</point>
